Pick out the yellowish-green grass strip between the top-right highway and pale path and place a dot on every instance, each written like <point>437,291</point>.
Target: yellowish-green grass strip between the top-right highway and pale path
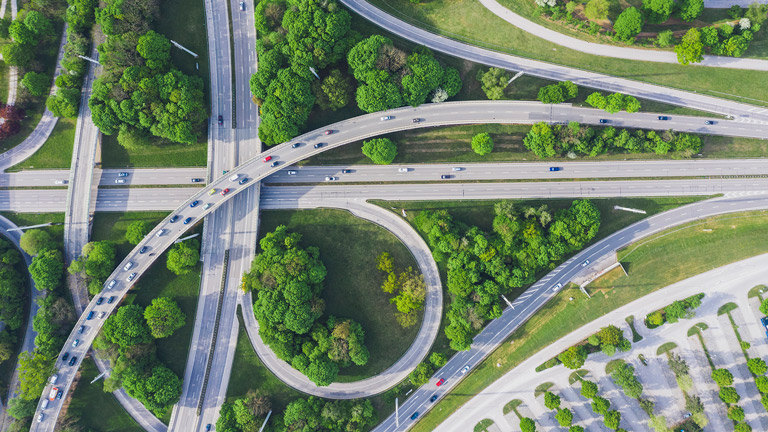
<point>458,20</point>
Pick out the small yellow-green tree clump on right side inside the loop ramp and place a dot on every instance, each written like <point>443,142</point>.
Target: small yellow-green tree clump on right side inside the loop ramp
<point>409,289</point>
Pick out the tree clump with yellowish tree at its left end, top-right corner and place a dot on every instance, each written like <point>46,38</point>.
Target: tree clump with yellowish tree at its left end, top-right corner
<point>726,39</point>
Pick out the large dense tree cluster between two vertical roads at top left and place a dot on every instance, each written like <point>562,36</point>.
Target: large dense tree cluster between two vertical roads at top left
<point>140,93</point>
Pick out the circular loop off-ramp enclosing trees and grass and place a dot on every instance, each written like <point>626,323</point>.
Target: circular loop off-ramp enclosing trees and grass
<point>420,346</point>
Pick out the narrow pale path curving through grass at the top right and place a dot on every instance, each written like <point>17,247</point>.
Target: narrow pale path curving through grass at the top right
<point>621,52</point>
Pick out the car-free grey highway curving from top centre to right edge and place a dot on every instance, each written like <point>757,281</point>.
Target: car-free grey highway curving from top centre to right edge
<point>553,71</point>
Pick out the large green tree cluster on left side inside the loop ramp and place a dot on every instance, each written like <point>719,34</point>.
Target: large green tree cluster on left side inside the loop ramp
<point>288,280</point>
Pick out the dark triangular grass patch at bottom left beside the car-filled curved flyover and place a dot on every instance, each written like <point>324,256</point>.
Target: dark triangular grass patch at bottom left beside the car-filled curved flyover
<point>97,410</point>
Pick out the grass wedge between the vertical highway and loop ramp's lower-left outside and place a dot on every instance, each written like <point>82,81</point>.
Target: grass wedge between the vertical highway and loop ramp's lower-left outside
<point>248,373</point>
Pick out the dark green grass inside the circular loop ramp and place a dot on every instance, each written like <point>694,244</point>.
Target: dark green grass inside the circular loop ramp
<point>349,247</point>
